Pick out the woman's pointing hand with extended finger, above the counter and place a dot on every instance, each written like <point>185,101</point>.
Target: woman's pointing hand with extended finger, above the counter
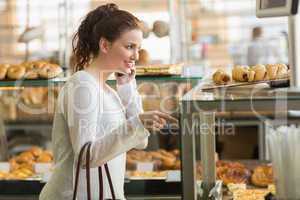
<point>156,120</point>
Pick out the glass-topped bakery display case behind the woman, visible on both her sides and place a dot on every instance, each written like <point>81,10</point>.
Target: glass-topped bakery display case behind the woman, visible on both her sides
<point>27,108</point>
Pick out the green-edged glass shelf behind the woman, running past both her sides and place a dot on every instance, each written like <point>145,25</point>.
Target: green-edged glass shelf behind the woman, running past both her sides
<point>60,81</point>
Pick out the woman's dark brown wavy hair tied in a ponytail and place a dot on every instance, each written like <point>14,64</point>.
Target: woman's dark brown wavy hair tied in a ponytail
<point>106,21</point>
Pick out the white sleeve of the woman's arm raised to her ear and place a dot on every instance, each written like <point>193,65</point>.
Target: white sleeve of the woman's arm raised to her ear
<point>132,102</point>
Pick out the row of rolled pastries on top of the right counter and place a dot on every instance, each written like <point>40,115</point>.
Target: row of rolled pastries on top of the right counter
<point>252,74</point>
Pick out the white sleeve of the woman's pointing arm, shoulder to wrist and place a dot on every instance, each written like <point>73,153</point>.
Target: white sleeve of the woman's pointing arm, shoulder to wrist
<point>83,103</point>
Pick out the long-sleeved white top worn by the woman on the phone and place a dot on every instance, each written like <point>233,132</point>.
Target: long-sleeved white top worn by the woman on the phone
<point>86,112</point>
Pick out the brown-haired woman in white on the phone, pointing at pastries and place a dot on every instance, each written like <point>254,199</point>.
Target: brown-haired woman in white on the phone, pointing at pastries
<point>107,41</point>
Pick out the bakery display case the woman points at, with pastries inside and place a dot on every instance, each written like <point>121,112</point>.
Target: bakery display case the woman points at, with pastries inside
<point>200,112</point>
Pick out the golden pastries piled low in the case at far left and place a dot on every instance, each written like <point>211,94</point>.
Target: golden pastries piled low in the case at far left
<point>22,165</point>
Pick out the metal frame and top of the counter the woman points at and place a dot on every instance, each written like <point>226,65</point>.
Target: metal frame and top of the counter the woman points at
<point>200,110</point>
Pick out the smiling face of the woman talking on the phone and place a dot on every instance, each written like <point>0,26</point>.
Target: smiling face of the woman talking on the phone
<point>123,52</point>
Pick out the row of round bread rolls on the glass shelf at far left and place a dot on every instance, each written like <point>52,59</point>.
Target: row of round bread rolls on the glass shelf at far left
<point>29,70</point>
